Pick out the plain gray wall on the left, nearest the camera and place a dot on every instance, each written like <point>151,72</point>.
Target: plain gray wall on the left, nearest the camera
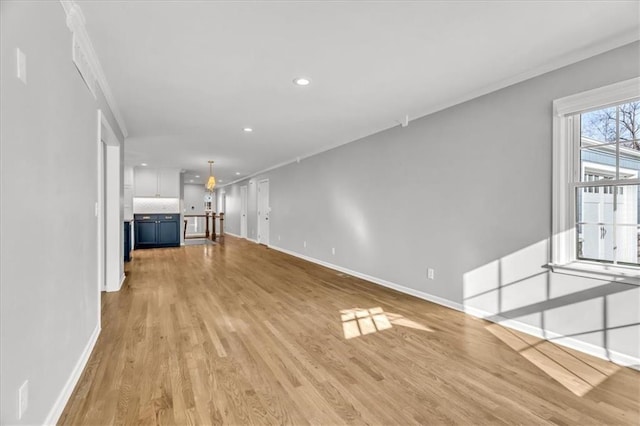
<point>49,298</point>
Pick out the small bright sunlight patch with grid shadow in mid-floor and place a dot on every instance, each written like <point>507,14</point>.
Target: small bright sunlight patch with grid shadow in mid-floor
<point>359,322</point>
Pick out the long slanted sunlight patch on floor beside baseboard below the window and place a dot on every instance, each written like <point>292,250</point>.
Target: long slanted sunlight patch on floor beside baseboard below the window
<point>574,370</point>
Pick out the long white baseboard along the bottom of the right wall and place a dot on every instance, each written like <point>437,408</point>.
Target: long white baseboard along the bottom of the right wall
<point>588,348</point>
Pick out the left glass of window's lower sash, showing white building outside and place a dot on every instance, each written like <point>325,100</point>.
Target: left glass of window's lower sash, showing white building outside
<point>594,208</point>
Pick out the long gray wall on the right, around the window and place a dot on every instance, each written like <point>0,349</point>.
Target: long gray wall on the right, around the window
<point>466,191</point>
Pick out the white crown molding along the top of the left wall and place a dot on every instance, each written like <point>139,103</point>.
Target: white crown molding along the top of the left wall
<point>76,24</point>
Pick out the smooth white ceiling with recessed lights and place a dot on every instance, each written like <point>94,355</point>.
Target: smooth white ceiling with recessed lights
<point>188,76</point>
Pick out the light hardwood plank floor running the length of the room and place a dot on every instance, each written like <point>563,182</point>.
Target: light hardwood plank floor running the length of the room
<point>240,334</point>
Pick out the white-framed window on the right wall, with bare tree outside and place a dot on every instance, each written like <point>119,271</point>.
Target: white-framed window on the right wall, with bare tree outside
<point>596,217</point>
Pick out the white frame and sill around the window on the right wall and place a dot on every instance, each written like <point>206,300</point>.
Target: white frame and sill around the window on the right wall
<point>565,155</point>
